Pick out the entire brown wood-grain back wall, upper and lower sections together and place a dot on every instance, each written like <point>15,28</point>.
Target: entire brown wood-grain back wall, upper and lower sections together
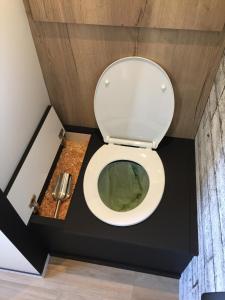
<point>73,53</point>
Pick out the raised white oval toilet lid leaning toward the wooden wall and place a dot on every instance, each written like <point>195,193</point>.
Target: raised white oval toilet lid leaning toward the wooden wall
<point>134,101</point>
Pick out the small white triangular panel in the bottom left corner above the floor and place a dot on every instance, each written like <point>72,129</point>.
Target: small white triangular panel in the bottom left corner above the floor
<point>12,259</point>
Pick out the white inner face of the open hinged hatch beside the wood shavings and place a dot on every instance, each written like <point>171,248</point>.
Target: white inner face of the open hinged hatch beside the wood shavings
<point>34,171</point>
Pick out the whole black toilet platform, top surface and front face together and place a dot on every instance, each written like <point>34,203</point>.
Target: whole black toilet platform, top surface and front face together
<point>163,244</point>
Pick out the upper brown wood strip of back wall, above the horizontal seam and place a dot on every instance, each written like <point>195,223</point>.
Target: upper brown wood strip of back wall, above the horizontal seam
<point>173,14</point>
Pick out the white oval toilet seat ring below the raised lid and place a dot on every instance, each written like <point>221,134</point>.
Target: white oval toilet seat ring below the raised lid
<point>152,164</point>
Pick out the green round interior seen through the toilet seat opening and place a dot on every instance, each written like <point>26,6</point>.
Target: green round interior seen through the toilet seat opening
<point>123,185</point>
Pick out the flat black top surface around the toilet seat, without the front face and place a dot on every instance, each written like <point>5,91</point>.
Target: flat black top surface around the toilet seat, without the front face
<point>169,226</point>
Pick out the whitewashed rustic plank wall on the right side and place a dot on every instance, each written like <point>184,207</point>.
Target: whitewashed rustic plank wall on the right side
<point>206,273</point>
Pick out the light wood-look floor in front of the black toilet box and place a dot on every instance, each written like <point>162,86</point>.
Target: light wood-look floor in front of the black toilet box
<point>67,279</point>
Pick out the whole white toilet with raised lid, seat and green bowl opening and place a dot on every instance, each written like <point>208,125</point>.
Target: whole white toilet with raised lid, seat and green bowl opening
<point>134,105</point>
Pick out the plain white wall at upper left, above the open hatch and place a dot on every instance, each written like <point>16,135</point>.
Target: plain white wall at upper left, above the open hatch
<point>23,95</point>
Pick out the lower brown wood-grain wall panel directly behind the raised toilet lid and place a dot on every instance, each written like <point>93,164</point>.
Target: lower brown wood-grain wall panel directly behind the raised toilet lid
<point>74,56</point>
